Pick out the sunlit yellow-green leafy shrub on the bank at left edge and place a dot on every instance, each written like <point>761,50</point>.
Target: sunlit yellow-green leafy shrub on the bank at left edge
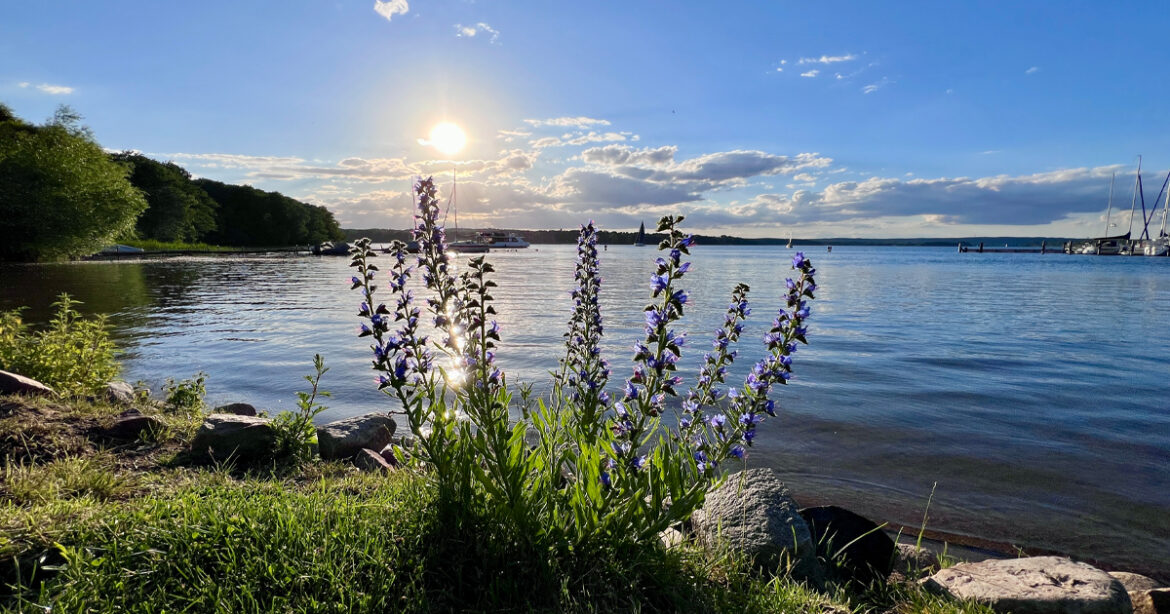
<point>74,355</point>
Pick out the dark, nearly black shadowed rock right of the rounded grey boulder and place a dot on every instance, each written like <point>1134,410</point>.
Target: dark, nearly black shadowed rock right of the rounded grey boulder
<point>852,548</point>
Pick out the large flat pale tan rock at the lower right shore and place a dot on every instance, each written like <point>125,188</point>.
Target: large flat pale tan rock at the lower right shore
<point>1035,585</point>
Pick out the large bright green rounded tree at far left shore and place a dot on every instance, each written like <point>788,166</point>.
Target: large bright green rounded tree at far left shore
<point>60,196</point>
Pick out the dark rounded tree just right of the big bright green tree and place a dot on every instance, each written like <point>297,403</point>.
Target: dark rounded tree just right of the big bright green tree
<point>180,210</point>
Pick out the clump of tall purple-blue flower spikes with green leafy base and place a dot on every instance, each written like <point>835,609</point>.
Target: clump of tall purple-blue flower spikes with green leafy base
<point>588,465</point>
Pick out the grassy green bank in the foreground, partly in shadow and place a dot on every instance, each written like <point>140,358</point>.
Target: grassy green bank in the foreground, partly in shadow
<point>90,525</point>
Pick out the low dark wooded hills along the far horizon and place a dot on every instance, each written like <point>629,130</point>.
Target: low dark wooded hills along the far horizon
<point>384,236</point>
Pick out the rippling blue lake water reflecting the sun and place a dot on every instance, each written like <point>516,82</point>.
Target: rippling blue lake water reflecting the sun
<point>1034,390</point>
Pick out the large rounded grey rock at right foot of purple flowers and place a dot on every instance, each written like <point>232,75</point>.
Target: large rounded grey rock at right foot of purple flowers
<point>754,513</point>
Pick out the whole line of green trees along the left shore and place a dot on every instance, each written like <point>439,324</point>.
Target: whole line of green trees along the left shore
<point>64,197</point>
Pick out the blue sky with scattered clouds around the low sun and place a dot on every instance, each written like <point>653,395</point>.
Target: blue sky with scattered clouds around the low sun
<point>815,120</point>
